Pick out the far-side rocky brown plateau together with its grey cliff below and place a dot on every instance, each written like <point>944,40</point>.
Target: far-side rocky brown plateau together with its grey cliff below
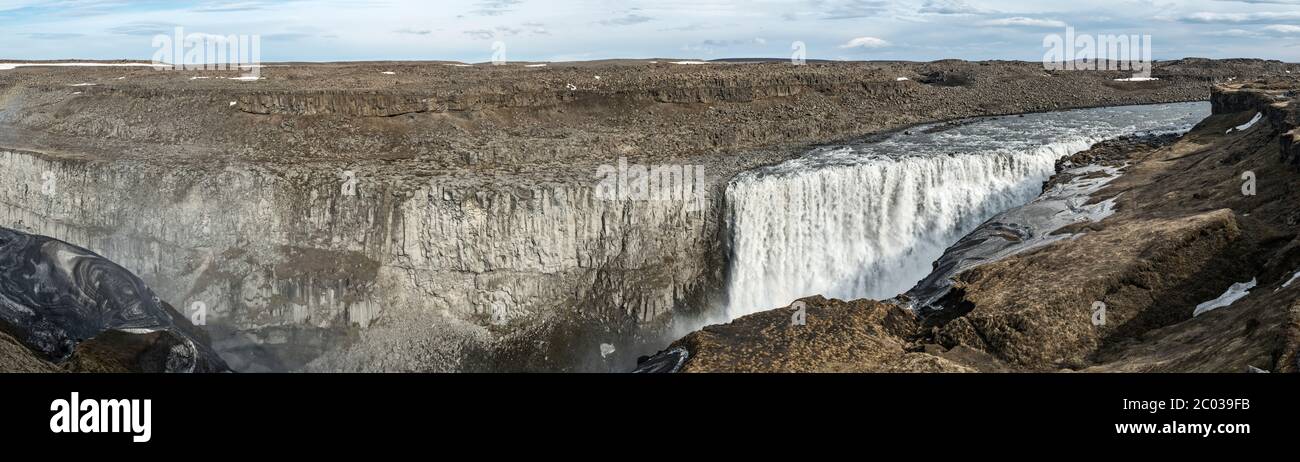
<point>400,217</point>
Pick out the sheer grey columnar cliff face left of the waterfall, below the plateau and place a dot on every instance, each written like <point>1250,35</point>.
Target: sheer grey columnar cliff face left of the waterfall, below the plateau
<point>289,264</point>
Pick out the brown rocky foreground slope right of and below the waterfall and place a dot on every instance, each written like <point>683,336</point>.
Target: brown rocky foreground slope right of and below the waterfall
<point>1195,219</point>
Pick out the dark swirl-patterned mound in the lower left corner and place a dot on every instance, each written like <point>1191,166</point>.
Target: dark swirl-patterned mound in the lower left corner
<point>66,303</point>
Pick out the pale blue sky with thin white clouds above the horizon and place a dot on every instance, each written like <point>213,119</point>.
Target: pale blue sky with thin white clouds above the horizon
<point>571,31</point>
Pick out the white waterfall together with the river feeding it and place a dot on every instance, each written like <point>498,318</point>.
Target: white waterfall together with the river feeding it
<point>868,221</point>
